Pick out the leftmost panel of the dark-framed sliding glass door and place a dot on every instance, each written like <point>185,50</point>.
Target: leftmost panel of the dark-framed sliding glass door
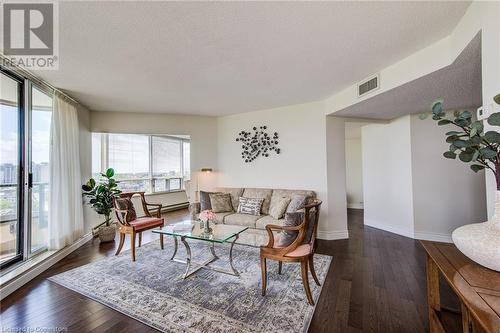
<point>11,175</point>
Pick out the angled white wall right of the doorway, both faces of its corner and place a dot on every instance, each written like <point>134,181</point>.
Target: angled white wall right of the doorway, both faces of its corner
<point>410,188</point>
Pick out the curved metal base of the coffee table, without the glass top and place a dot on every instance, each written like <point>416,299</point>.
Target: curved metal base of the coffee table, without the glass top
<point>206,264</point>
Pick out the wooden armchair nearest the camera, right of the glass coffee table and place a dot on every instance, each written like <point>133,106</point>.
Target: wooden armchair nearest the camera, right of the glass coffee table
<point>296,251</point>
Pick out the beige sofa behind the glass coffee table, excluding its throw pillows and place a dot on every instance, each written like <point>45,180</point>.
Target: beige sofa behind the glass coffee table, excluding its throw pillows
<point>257,222</point>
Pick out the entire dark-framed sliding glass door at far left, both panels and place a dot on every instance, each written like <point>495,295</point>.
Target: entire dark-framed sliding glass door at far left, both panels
<point>25,121</point>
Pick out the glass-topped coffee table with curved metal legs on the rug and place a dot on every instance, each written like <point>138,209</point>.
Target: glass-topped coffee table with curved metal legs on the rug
<point>220,234</point>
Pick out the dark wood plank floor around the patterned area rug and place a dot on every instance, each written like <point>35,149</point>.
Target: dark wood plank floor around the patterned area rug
<point>376,283</point>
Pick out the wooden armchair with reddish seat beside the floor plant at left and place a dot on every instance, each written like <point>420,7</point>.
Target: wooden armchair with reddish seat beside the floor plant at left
<point>129,223</point>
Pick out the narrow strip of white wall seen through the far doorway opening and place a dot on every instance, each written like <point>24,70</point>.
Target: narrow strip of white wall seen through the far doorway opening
<point>354,173</point>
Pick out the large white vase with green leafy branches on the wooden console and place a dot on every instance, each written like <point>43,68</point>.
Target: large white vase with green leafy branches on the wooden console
<point>472,144</point>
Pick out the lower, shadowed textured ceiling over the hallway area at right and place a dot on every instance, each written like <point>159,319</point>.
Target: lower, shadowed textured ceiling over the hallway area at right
<point>458,84</point>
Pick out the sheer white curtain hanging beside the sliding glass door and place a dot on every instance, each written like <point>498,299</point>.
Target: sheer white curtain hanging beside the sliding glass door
<point>66,210</point>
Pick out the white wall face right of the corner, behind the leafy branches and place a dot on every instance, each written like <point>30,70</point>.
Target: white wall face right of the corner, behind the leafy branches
<point>446,193</point>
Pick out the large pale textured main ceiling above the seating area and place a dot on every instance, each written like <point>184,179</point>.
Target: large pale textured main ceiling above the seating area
<point>217,58</point>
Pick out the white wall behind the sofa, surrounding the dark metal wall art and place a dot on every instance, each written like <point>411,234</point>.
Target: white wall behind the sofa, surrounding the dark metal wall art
<point>301,164</point>
